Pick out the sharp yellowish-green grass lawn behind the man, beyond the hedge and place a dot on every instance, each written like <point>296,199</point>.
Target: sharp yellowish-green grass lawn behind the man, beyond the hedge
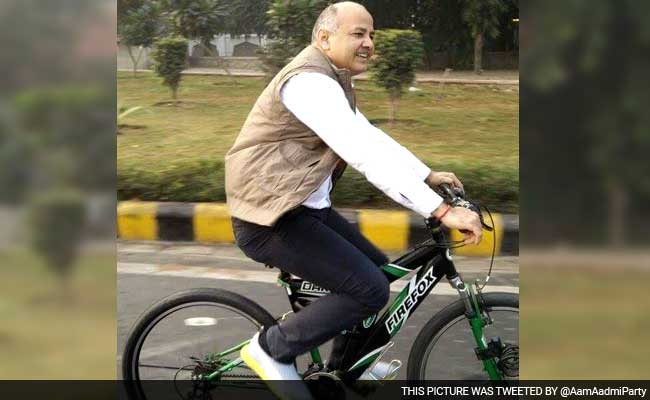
<point>472,129</point>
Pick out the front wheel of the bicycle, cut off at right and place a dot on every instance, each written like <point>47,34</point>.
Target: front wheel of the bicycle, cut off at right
<point>444,349</point>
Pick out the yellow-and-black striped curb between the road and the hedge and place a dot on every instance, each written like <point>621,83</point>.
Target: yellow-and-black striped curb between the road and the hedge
<point>210,223</point>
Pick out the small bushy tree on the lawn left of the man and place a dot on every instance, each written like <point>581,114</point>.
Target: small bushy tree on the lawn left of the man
<point>169,57</point>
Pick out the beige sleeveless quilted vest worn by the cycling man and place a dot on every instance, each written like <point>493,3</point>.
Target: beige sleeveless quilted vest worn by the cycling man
<point>277,161</point>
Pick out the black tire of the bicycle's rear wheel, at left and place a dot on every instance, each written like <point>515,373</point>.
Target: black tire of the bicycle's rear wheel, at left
<point>147,321</point>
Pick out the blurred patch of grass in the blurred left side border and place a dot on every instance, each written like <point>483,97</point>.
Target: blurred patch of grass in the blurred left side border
<point>49,333</point>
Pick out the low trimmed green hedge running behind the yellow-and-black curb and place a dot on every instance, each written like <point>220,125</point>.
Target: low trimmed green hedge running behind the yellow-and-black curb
<point>203,181</point>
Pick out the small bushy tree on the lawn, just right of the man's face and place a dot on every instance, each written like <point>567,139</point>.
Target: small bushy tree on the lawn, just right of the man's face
<point>398,53</point>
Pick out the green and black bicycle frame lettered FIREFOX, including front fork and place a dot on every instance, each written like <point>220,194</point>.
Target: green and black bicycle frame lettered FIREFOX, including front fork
<point>373,336</point>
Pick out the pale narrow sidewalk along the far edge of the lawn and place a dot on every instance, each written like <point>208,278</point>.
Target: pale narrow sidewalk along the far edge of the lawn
<point>500,77</point>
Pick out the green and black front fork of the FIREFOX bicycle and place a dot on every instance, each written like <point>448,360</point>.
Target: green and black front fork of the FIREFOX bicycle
<point>478,318</point>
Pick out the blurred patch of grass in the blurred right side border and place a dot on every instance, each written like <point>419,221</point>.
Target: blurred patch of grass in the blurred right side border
<point>584,324</point>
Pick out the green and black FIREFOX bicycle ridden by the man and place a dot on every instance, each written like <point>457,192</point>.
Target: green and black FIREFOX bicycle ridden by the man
<point>206,355</point>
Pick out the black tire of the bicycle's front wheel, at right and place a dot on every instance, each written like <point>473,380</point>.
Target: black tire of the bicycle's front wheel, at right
<point>441,321</point>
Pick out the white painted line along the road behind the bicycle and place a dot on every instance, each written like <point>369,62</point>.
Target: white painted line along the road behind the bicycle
<point>261,276</point>
